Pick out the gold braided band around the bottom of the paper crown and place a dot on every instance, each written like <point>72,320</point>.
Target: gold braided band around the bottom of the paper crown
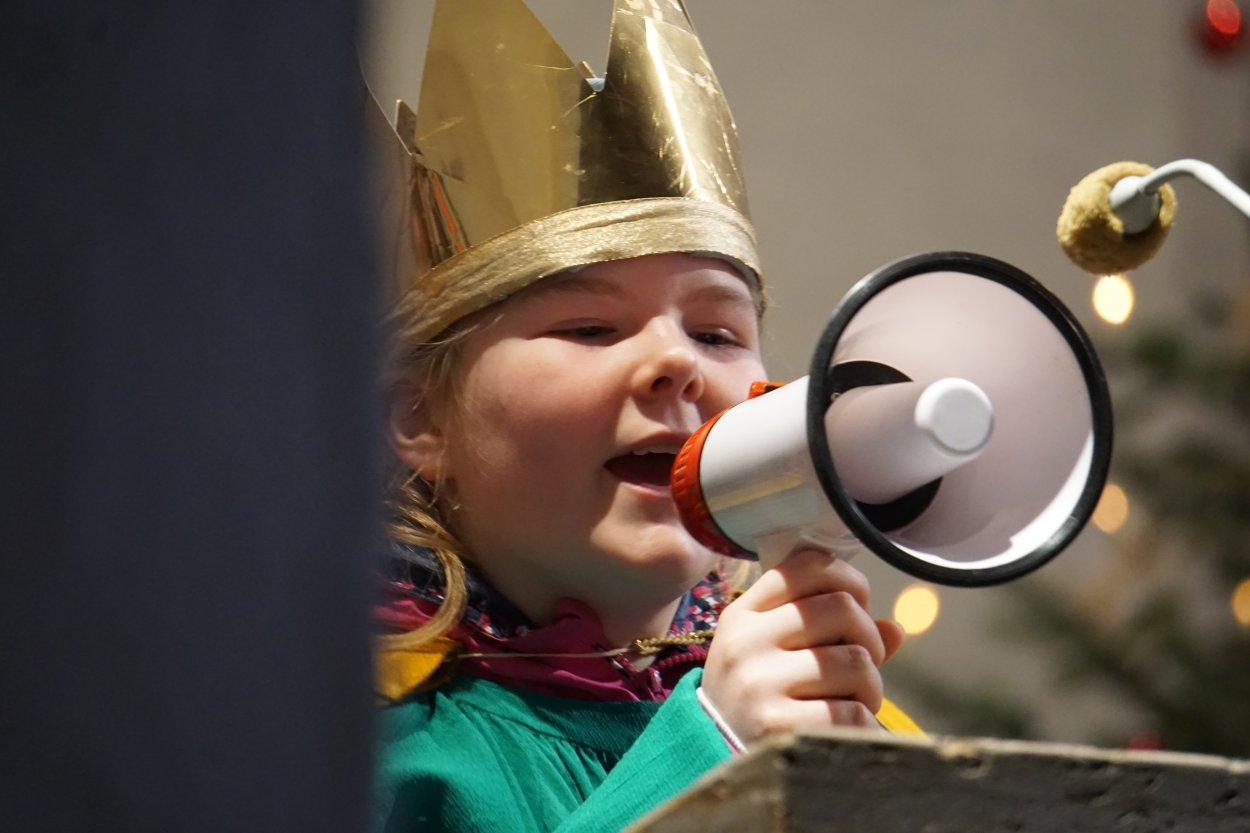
<point>578,237</point>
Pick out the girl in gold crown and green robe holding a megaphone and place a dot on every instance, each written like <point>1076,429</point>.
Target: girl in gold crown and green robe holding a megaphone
<point>547,656</point>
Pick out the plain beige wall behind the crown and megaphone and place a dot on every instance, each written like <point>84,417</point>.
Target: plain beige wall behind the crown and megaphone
<point>874,129</point>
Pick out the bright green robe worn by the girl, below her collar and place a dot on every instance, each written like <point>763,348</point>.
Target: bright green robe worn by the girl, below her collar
<point>476,756</point>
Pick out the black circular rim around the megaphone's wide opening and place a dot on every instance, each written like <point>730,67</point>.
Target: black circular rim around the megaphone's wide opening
<point>821,393</point>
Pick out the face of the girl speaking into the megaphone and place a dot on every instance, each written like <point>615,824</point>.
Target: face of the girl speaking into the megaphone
<point>573,405</point>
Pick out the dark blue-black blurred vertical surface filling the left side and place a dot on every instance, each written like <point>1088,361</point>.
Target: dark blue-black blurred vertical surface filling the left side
<point>188,305</point>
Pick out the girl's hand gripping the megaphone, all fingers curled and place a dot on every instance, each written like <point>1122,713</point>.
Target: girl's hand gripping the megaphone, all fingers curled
<point>799,651</point>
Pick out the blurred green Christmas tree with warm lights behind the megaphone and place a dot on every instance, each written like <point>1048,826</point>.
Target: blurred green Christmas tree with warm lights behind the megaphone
<point>1164,626</point>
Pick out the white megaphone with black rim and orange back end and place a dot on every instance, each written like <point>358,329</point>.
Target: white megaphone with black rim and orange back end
<point>956,422</point>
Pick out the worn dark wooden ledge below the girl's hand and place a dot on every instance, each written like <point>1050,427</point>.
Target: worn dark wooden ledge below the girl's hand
<point>852,781</point>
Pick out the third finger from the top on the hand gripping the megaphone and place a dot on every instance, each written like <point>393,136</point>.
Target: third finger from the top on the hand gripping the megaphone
<point>832,672</point>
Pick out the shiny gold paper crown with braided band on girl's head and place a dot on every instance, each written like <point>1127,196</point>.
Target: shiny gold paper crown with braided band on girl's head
<point>519,164</point>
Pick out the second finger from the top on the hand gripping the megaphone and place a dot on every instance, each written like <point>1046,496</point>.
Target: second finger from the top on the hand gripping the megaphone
<point>828,620</point>
